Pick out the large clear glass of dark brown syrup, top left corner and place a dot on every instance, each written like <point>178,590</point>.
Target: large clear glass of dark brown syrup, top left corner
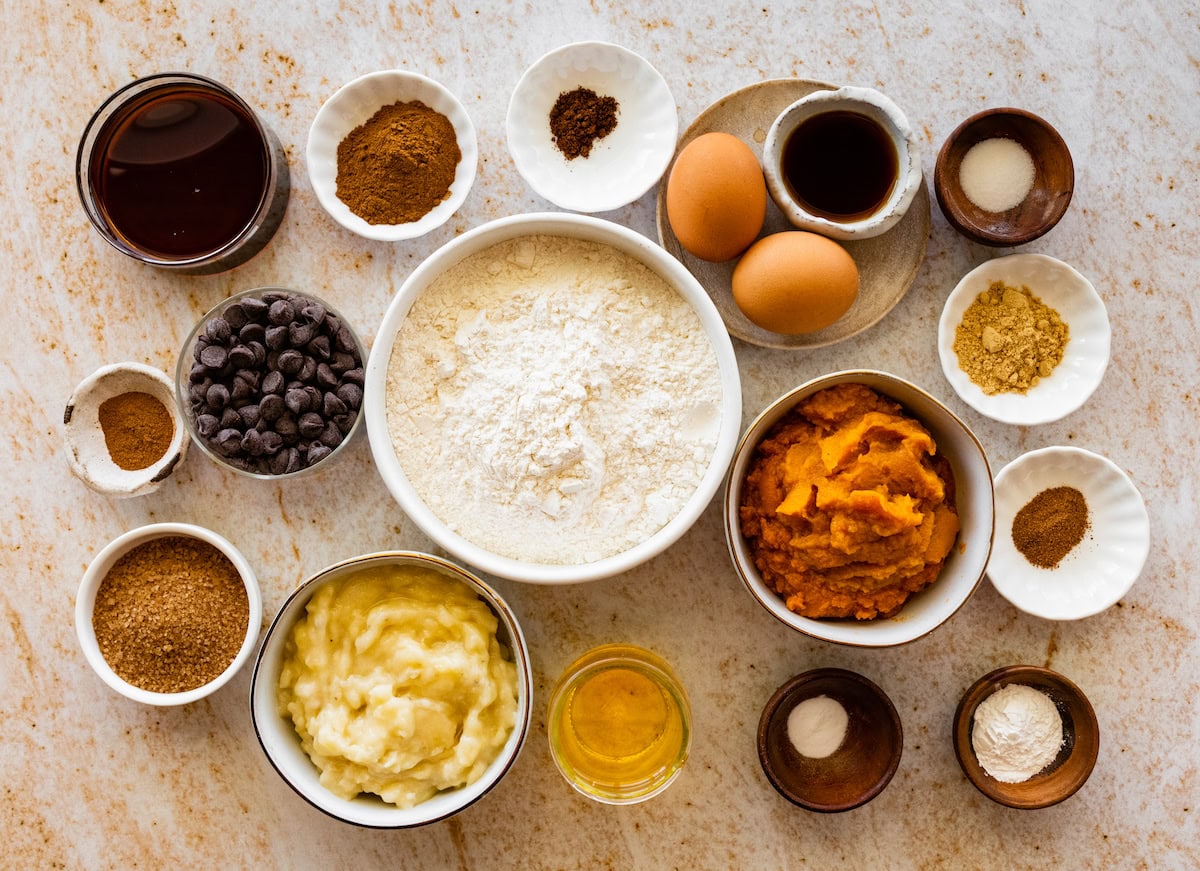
<point>178,172</point>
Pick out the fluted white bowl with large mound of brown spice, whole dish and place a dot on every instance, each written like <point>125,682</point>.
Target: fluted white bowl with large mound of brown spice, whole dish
<point>392,155</point>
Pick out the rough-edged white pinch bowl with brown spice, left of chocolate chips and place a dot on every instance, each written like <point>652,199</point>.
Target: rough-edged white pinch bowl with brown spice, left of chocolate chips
<point>123,431</point>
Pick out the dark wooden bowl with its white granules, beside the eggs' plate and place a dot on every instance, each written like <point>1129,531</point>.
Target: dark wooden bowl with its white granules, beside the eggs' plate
<point>1005,177</point>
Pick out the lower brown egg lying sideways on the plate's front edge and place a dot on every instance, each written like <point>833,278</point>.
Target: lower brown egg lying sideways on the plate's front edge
<point>795,283</point>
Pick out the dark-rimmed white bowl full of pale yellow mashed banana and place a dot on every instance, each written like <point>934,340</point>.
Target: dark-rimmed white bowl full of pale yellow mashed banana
<point>393,690</point>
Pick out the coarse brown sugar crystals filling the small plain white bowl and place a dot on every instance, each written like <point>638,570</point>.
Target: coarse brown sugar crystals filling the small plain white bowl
<point>171,615</point>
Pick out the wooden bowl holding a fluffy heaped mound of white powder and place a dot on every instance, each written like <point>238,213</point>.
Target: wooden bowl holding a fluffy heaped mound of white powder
<point>1027,737</point>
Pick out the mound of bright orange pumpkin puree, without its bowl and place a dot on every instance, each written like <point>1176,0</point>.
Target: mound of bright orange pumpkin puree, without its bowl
<point>848,508</point>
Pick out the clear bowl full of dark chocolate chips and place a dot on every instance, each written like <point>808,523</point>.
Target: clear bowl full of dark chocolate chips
<point>271,383</point>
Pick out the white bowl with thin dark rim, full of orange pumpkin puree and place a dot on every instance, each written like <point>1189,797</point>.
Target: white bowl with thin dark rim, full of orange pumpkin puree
<point>860,510</point>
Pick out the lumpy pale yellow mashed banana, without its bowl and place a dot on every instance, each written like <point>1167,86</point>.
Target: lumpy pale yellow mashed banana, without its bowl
<point>398,686</point>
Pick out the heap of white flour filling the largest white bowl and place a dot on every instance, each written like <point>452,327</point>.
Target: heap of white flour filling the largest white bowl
<point>554,400</point>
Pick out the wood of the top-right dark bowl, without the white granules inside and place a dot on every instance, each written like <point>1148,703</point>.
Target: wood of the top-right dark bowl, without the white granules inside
<point>1048,200</point>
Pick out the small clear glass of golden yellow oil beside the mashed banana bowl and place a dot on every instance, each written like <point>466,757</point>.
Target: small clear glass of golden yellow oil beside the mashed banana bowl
<point>620,724</point>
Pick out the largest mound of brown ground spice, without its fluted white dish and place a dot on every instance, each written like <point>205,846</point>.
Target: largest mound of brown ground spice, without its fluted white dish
<point>398,166</point>
